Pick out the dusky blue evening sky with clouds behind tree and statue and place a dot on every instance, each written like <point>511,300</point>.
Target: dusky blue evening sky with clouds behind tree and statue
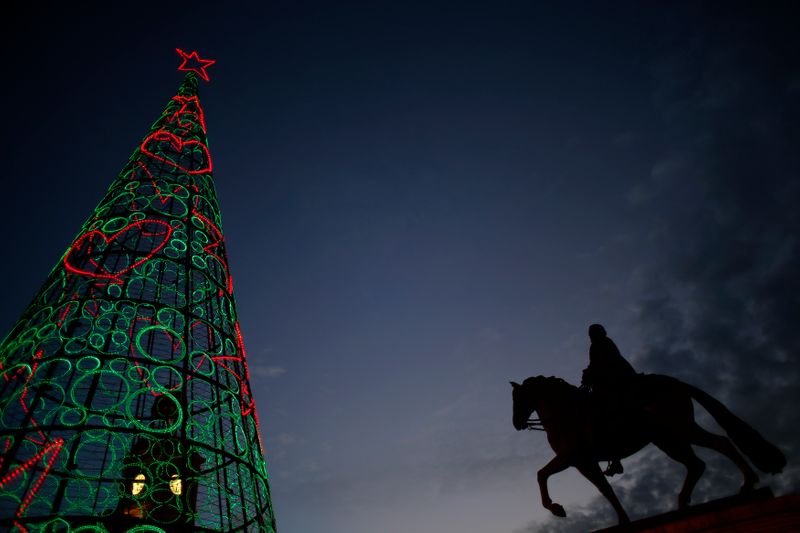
<point>423,201</point>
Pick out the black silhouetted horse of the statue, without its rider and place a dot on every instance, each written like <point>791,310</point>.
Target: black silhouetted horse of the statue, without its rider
<point>658,409</point>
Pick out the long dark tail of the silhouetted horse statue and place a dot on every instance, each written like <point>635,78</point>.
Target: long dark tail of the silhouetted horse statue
<point>764,455</point>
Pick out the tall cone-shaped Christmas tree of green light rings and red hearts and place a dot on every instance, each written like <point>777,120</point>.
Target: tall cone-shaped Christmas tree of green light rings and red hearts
<point>125,402</point>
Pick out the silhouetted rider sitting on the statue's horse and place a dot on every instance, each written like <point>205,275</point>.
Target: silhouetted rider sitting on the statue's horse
<point>607,374</point>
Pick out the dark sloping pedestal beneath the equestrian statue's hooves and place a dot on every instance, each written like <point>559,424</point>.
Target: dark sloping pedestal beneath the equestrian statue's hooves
<point>759,512</point>
